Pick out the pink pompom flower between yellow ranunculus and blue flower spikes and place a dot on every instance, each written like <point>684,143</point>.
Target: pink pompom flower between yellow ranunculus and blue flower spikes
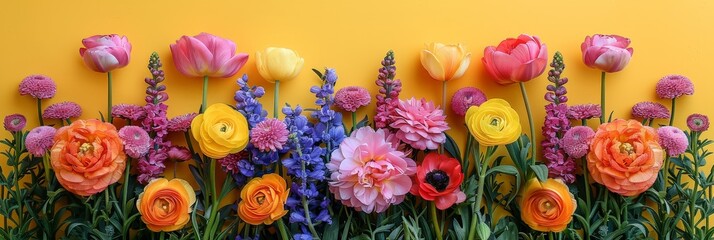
<point>269,135</point>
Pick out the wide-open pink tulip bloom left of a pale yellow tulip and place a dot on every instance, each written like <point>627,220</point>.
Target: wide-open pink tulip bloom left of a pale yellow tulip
<point>207,55</point>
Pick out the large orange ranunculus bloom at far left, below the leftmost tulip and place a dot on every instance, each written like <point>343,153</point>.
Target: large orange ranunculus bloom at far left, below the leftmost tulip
<point>87,156</point>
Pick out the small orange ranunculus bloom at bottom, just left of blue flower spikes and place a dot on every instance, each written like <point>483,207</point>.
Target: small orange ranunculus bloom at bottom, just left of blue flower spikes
<point>263,200</point>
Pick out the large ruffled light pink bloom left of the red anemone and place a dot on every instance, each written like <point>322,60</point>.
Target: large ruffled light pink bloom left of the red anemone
<point>368,173</point>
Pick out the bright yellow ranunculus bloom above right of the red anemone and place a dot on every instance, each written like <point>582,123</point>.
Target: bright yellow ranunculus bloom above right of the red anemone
<point>493,123</point>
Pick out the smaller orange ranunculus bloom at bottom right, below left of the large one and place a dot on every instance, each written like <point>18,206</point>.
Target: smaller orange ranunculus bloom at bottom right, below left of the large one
<point>547,206</point>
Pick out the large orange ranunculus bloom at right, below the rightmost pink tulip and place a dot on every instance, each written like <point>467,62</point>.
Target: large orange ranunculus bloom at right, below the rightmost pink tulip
<point>625,157</point>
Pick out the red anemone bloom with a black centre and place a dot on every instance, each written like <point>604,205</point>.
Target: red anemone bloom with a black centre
<point>439,179</point>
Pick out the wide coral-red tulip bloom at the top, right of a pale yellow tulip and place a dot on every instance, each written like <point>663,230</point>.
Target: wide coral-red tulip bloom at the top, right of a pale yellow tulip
<point>516,59</point>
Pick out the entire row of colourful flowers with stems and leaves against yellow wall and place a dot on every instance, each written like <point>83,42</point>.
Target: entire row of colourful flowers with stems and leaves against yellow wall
<point>381,172</point>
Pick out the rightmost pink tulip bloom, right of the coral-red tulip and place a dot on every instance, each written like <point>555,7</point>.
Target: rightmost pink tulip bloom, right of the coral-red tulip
<point>606,52</point>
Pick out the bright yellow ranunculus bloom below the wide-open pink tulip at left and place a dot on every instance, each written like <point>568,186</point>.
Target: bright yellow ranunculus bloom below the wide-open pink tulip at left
<point>220,130</point>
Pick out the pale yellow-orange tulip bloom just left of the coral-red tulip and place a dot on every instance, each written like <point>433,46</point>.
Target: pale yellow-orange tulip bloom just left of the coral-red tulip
<point>445,62</point>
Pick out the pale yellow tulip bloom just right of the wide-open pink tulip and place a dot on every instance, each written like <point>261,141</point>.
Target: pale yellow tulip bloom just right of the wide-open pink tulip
<point>281,64</point>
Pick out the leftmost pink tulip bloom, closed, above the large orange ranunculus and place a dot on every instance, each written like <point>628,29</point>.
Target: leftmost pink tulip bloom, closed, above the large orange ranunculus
<point>103,53</point>
